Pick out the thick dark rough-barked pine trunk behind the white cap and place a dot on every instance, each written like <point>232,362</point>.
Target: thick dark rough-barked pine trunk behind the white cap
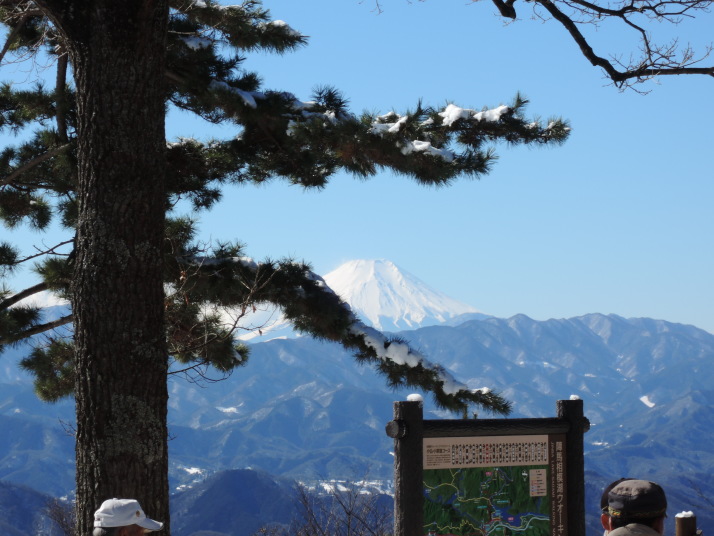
<point>117,49</point>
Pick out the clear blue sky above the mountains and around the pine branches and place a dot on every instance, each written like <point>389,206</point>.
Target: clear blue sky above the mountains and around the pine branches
<point>617,220</point>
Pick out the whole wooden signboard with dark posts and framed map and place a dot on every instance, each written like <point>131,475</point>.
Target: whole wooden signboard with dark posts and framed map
<point>537,458</point>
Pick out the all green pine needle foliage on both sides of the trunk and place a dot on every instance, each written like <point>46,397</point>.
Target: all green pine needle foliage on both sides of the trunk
<point>279,137</point>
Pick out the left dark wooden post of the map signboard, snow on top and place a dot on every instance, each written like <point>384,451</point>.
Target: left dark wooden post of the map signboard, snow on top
<point>407,429</point>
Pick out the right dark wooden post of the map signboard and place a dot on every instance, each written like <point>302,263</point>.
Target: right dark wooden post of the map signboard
<point>572,412</point>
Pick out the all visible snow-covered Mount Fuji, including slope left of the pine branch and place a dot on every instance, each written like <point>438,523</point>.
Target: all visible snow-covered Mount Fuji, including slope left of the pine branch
<point>382,295</point>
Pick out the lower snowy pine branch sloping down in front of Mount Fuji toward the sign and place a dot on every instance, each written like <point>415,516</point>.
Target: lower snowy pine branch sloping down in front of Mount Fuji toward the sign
<point>313,308</point>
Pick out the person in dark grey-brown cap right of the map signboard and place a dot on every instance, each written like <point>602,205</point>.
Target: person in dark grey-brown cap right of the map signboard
<point>635,508</point>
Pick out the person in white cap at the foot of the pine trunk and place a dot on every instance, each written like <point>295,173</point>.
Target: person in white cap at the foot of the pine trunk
<point>122,517</point>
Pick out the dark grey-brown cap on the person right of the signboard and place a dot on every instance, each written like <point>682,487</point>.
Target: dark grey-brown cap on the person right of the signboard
<point>636,499</point>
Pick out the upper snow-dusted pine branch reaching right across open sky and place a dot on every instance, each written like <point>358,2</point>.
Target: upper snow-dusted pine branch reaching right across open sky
<point>307,142</point>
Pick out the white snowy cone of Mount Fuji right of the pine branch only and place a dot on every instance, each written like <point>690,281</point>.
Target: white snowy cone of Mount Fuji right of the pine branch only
<point>390,298</point>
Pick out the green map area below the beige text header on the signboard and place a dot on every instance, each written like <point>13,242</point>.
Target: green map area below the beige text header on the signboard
<point>484,501</point>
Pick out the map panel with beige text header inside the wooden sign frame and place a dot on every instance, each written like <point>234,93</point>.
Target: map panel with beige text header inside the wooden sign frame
<point>487,486</point>
